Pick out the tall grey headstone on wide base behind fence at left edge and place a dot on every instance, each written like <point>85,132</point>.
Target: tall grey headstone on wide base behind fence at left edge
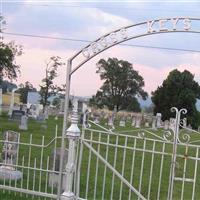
<point>9,156</point>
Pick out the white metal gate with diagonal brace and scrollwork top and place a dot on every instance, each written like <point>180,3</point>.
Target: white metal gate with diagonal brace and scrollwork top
<point>139,164</point>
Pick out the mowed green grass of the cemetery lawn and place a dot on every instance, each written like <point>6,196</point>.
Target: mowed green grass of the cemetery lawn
<point>148,171</point>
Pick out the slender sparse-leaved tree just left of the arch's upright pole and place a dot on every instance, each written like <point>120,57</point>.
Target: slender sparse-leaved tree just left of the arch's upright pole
<point>48,88</point>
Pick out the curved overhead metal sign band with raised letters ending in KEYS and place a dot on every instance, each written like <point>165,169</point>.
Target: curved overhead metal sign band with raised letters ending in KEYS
<point>151,27</point>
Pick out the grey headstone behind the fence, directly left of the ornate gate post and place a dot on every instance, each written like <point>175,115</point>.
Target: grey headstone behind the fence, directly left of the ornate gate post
<point>55,167</point>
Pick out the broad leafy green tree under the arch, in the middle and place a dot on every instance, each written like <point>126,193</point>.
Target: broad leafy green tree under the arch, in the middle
<point>120,87</point>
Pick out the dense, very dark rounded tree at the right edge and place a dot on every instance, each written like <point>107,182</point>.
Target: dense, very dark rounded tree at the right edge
<point>178,90</point>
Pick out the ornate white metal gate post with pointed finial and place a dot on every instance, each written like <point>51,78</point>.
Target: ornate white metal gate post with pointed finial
<point>73,134</point>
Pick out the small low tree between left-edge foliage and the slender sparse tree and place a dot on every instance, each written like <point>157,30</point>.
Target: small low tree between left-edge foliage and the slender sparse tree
<point>24,89</point>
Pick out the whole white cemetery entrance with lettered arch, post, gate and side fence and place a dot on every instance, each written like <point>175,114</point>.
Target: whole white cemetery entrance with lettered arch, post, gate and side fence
<point>100,163</point>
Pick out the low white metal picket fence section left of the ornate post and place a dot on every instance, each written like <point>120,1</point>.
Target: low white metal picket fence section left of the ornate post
<point>30,167</point>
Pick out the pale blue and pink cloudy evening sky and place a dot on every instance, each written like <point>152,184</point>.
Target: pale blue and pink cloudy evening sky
<point>88,20</point>
